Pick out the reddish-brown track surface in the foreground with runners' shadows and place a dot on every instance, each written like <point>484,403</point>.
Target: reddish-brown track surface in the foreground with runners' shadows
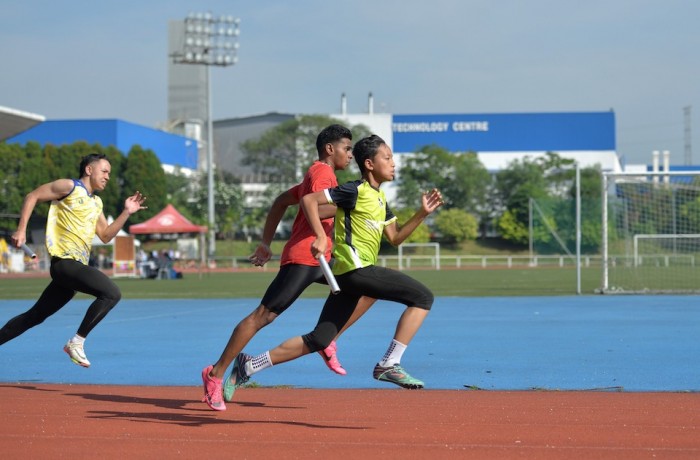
<point>90,421</point>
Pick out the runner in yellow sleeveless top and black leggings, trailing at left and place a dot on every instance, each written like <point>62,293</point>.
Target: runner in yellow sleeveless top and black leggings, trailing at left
<point>75,217</point>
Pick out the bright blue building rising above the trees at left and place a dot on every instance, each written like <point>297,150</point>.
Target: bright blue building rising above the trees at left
<point>172,149</point>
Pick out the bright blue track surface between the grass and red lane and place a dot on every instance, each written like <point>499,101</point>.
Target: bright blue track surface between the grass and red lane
<point>630,343</point>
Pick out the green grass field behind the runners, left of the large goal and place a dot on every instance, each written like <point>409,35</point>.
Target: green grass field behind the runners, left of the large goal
<point>458,283</point>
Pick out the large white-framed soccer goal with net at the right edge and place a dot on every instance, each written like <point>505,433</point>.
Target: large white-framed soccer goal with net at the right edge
<point>651,233</point>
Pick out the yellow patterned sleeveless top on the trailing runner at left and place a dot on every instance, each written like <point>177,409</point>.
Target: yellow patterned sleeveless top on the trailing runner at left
<point>71,224</point>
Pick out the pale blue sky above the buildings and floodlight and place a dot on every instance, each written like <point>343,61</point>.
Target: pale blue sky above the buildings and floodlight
<point>108,59</point>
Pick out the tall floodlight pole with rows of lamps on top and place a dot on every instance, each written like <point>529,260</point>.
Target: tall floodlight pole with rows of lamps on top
<point>209,40</point>
